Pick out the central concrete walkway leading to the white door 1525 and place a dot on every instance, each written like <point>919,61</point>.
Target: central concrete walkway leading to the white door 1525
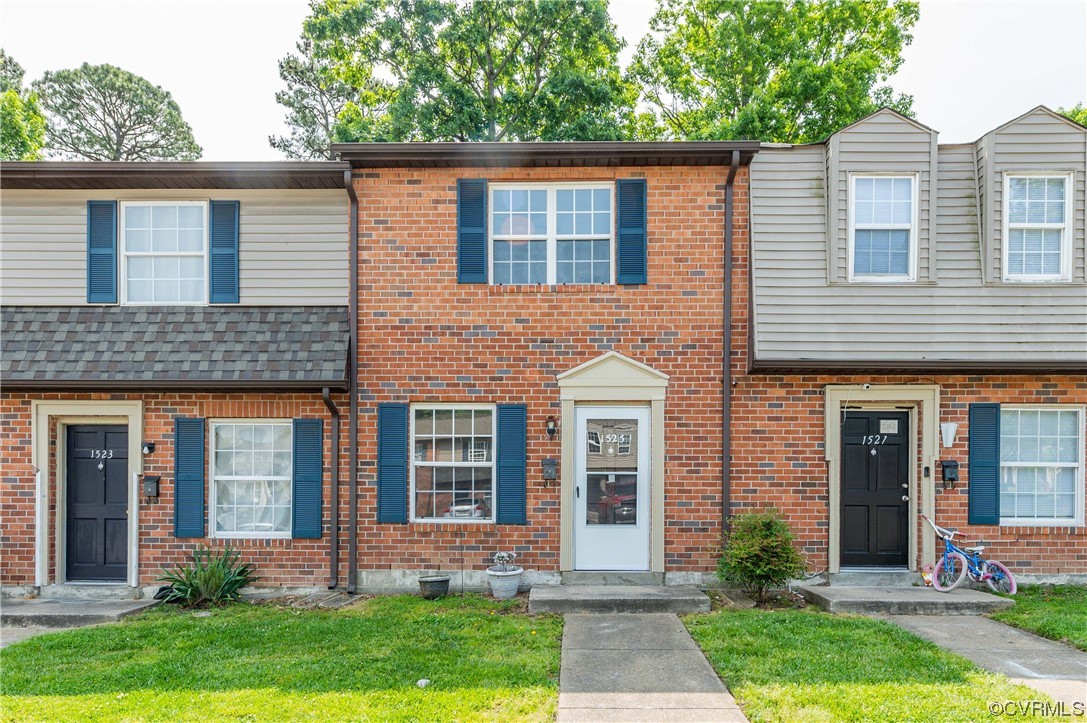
<point>638,668</point>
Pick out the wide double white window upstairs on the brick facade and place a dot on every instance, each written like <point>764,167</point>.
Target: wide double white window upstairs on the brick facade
<point>552,234</point>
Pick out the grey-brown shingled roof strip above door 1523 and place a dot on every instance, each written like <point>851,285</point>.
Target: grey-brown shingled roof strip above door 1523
<point>141,346</point>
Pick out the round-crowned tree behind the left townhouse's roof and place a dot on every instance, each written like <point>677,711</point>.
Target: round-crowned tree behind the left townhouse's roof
<point>105,114</point>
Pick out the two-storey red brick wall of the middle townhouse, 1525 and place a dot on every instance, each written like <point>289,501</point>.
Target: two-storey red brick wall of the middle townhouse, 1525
<point>426,339</point>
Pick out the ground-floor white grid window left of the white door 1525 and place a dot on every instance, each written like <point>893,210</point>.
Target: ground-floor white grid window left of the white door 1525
<point>454,466</point>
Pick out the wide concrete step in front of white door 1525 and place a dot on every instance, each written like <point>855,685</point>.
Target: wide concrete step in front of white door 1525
<point>617,599</point>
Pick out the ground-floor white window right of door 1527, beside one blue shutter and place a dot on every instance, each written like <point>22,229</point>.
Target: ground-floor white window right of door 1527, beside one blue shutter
<point>1042,466</point>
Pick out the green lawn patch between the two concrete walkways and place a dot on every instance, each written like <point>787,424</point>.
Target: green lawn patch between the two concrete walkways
<point>807,666</point>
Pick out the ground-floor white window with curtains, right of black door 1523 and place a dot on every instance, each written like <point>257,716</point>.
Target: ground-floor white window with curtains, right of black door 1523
<point>251,479</point>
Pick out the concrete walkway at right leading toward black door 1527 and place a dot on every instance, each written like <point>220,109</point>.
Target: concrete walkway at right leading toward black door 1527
<point>1052,668</point>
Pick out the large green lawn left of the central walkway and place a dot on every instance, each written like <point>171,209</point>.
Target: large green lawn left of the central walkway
<point>263,664</point>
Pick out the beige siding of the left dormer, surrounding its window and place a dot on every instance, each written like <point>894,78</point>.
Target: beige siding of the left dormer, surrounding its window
<point>882,144</point>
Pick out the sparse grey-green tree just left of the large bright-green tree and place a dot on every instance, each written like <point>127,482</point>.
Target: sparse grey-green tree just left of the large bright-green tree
<point>315,99</point>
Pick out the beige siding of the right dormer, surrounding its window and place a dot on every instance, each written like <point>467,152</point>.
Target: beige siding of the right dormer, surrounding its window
<point>1036,142</point>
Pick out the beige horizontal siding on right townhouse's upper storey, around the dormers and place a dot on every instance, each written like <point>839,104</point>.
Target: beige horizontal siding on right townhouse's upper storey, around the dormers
<point>801,317</point>
